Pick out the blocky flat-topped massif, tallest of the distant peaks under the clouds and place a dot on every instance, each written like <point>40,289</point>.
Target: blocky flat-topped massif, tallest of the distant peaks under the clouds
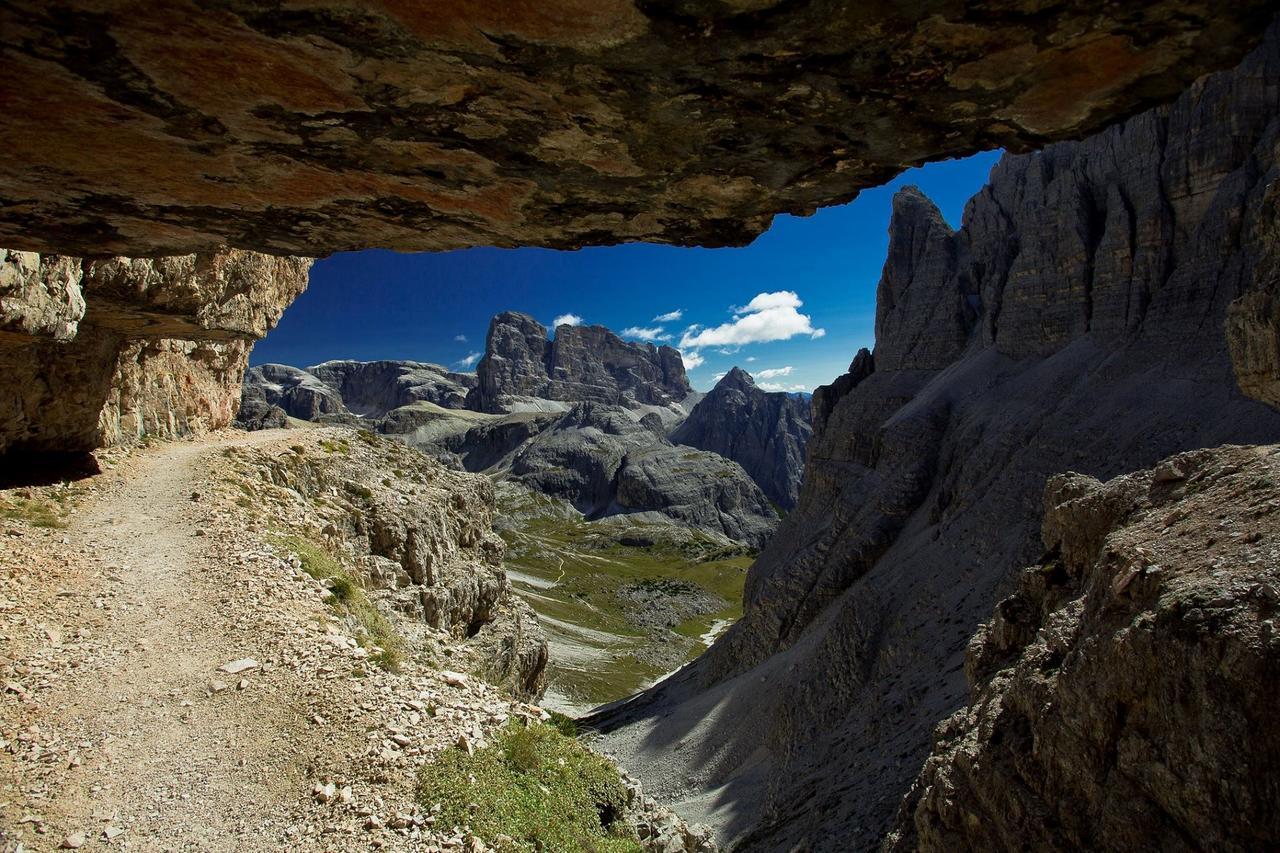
<point>522,368</point>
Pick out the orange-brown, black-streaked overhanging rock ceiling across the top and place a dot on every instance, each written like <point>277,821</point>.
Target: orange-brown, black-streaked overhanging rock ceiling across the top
<point>303,129</point>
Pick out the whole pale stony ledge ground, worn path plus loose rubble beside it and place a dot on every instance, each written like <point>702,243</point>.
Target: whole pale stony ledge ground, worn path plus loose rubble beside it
<point>124,600</point>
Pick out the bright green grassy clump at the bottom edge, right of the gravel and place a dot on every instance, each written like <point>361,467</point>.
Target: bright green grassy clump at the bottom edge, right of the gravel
<point>536,786</point>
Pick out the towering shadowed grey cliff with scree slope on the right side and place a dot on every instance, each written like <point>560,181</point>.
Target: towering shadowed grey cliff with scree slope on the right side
<point>1080,325</point>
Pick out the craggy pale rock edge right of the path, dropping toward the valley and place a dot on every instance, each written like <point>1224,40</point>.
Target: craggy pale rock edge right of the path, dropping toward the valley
<point>422,539</point>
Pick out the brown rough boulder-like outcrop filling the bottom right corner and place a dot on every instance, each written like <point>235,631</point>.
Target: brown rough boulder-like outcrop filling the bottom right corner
<point>1119,699</point>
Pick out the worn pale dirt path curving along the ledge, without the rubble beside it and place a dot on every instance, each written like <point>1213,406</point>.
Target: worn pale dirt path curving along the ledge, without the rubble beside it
<point>159,749</point>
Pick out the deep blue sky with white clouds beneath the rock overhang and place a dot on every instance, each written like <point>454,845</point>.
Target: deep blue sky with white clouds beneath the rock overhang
<point>437,307</point>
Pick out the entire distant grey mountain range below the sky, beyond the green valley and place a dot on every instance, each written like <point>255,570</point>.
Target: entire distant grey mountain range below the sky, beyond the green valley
<point>609,426</point>
